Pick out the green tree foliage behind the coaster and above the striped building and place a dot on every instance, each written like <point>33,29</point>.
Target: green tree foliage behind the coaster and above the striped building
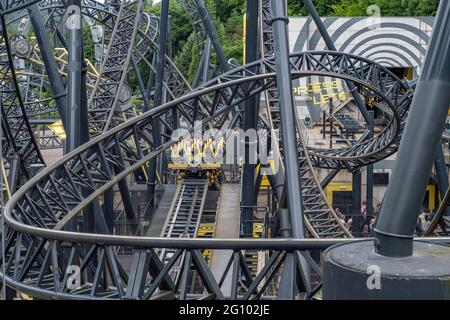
<point>228,18</point>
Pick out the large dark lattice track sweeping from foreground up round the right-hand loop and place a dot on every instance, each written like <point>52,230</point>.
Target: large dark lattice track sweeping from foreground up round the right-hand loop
<point>39,250</point>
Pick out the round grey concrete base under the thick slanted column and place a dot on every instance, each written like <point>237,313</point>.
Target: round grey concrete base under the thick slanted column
<point>354,271</point>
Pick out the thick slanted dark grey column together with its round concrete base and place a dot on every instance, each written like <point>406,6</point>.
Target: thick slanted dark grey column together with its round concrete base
<point>395,266</point>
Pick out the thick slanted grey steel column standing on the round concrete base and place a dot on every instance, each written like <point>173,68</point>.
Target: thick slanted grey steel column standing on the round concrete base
<point>417,151</point>
